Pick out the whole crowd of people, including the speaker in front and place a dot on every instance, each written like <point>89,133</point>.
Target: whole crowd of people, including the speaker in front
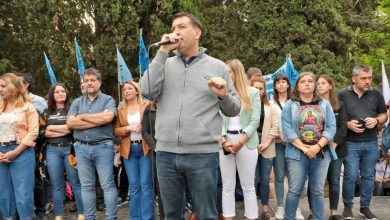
<point>210,124</point>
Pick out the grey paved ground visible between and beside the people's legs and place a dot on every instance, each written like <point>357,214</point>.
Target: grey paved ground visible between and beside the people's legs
<point>379,206</point>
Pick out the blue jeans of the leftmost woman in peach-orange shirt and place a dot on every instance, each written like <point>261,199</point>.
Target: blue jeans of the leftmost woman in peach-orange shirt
<point>17,184</point>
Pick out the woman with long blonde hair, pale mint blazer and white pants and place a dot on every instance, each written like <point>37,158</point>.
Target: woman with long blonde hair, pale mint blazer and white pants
<point>239,142</point>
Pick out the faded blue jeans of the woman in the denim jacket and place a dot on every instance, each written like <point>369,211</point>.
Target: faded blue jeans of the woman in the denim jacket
<point>297,172</point>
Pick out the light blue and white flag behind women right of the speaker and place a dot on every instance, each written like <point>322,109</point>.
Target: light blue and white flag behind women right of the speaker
<point>288,69</point>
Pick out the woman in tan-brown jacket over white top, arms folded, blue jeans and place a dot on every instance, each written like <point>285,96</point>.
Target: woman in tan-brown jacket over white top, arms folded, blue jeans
<point>135,151</point>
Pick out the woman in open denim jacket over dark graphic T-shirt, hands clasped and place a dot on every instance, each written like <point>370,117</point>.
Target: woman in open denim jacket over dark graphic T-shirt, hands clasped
<point>309,125</point>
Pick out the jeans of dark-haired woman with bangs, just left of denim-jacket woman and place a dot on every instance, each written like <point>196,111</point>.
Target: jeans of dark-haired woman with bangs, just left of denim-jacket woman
<point>280,172</point>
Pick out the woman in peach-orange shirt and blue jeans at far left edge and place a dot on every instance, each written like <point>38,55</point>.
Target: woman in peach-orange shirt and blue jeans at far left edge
<point>18,131</point>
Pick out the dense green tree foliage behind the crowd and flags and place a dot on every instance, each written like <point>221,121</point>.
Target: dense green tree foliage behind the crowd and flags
<point>325,36</point>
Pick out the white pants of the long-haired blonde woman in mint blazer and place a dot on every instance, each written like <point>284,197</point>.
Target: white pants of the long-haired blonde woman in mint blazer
<point>244,161</point>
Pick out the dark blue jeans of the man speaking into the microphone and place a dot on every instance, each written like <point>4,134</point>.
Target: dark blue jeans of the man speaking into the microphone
<point>200,171</point>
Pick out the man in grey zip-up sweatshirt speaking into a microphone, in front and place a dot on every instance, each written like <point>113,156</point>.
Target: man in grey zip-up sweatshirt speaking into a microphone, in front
<point>191,88</point>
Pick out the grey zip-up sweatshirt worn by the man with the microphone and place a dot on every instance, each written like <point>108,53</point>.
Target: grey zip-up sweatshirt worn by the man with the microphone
<point>188,119</point>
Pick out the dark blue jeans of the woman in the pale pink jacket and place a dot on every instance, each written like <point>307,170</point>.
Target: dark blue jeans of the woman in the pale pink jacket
<point>265,166</point>
